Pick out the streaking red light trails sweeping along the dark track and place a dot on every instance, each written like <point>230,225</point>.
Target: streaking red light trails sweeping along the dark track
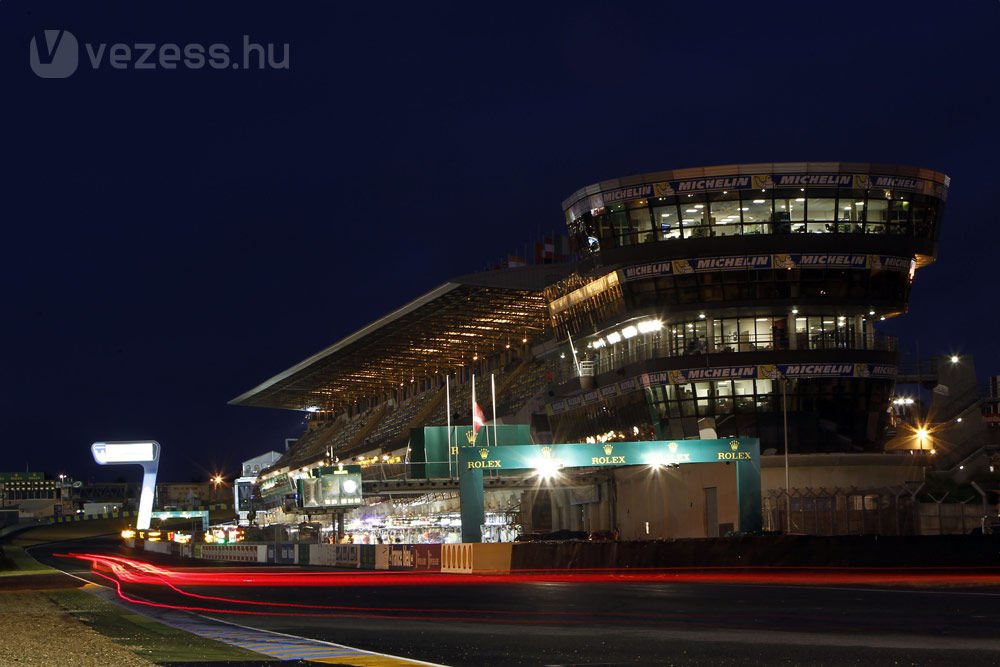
<point>126,571</point>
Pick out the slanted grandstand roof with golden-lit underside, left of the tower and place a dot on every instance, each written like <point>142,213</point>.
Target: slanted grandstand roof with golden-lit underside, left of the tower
<point>436,332</point>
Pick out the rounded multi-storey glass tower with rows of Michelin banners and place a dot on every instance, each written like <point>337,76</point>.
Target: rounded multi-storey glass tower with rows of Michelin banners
<point>718,301</point>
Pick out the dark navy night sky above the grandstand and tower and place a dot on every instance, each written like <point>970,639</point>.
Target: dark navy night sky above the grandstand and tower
<point>172,238</point>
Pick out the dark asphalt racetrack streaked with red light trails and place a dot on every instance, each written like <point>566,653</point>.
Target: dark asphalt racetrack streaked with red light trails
<point>667,618</point>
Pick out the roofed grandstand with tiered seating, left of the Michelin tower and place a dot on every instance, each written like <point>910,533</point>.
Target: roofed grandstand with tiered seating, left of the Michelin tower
<point>365,392</point>
